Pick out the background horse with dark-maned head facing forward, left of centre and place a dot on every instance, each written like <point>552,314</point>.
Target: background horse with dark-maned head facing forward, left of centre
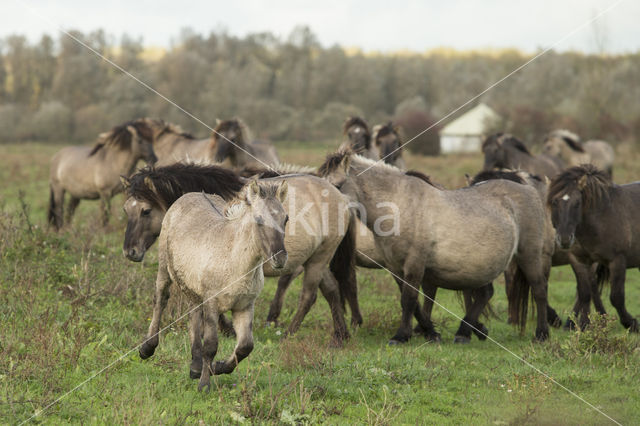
<point>233,144</point>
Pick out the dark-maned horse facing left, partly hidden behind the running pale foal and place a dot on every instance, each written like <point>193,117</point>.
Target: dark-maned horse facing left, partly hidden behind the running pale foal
<point>321,227</point>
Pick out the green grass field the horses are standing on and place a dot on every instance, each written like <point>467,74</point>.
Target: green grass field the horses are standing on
<point>71,304</point>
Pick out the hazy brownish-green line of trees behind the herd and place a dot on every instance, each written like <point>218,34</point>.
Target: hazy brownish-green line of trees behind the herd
<point>292,88</point>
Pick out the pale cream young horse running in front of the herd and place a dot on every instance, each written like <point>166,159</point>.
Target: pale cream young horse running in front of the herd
<point>214,252</point>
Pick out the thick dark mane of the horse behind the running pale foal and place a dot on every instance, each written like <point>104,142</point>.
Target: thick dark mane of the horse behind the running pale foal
<point>162,186</point>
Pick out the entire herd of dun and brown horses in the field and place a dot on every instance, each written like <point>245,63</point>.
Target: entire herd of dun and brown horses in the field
<point>226,213</point>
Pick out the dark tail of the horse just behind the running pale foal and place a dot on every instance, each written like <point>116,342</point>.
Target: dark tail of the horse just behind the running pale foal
<point>343,264</point>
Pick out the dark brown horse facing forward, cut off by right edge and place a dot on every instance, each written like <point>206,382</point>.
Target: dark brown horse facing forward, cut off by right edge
<point>587,208</point>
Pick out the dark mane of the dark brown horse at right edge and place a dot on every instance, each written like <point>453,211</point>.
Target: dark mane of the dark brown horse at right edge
<point>593,184</point>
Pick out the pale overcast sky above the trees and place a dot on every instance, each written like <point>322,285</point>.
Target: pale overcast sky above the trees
<point>370,25</point>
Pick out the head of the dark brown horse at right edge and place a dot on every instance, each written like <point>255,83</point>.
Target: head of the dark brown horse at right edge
<point>573,193</point>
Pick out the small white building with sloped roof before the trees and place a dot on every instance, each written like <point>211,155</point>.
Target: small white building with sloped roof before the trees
<point>466,133</point>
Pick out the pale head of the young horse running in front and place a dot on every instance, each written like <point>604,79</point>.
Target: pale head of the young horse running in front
<point>265,202</point>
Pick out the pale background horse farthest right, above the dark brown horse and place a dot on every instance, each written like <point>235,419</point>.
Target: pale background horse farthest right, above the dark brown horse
<point>567,146</point>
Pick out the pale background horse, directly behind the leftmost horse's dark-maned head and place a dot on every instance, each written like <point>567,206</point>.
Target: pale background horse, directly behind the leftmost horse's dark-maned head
<point>172,144</point>
